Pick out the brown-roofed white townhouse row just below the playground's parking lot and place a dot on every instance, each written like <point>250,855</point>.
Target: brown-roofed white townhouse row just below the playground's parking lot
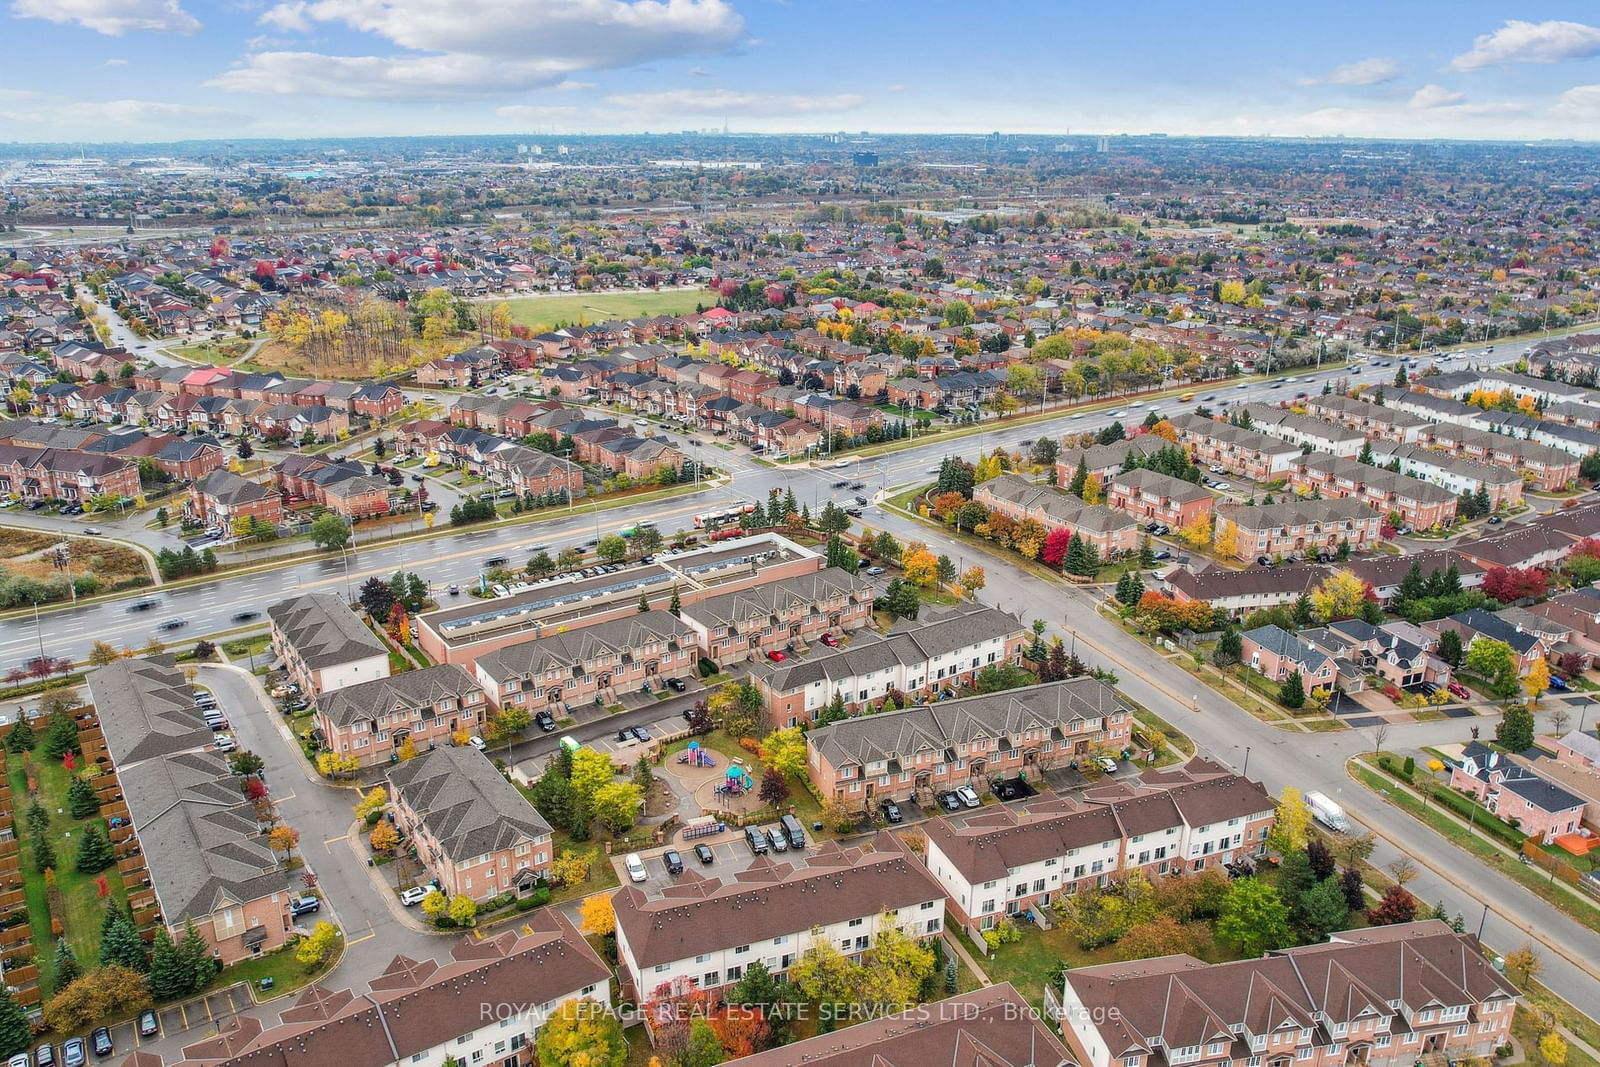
<point>710,932</point>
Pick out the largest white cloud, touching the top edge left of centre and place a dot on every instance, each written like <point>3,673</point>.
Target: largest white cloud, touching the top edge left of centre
<point>470,47</point>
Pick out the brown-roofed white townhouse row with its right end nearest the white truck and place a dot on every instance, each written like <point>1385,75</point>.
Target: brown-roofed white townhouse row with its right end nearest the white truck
<point>1007,861</point>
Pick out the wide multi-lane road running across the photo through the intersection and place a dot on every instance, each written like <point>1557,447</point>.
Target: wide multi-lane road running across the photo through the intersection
<point>460,557</point>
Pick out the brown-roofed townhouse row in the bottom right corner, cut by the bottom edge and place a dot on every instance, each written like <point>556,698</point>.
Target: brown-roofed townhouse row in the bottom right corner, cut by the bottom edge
<point>1383,997</point>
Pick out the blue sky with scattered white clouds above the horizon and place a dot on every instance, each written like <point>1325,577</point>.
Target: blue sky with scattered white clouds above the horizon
<point>180,70</point>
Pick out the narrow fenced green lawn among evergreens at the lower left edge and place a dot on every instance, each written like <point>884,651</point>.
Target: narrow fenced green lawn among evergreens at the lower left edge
<point>81,903</point>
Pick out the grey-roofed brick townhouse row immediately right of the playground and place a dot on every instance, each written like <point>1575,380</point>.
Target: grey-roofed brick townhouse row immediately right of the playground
<point>919,751</point>
